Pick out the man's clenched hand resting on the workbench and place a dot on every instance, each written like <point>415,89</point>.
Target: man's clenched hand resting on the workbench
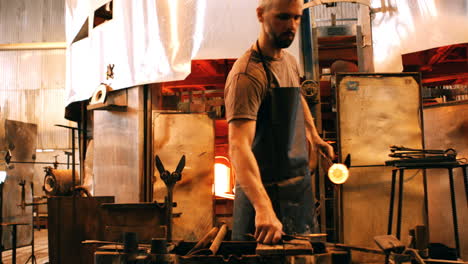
<point>268,229</point>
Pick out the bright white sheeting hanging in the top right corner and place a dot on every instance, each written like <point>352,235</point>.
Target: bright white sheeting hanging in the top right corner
<point>405,26</point>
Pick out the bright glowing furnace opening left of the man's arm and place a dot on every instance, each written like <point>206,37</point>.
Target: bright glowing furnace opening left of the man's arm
<point>222,181</point>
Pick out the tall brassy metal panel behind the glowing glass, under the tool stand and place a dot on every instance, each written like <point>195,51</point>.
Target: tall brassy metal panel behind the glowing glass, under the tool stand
<point>376,111</point>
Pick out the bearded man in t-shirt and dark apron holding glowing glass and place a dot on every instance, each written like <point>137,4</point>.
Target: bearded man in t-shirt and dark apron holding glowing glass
<point>272,137</point>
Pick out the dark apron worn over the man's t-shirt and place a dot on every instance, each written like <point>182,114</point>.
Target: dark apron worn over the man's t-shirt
<point>280,149</point>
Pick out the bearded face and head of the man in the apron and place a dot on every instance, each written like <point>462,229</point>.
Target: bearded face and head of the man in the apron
<point>281,20</point>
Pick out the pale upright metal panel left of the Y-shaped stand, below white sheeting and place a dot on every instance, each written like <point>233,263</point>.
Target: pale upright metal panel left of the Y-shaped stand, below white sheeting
<point>118,150</point>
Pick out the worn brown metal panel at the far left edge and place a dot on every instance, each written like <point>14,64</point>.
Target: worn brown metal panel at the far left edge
<point>21,140</point>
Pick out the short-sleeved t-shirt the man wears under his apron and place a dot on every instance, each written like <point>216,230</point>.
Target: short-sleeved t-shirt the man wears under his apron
<point>246,84</point>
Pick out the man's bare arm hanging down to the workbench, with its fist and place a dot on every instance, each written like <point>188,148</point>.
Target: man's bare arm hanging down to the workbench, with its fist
<point>268,229</point>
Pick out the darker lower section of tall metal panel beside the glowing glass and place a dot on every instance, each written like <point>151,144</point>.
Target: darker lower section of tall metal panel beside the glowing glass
<point>366,200</point>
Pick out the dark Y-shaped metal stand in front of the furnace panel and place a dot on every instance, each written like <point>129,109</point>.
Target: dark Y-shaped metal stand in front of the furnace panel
<point>170,180</point>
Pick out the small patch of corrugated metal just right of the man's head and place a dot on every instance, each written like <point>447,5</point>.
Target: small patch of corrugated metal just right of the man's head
<point>342,11</point>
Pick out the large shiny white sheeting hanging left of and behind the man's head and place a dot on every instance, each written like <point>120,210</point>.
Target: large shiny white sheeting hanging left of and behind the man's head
<point>151,41</point>
